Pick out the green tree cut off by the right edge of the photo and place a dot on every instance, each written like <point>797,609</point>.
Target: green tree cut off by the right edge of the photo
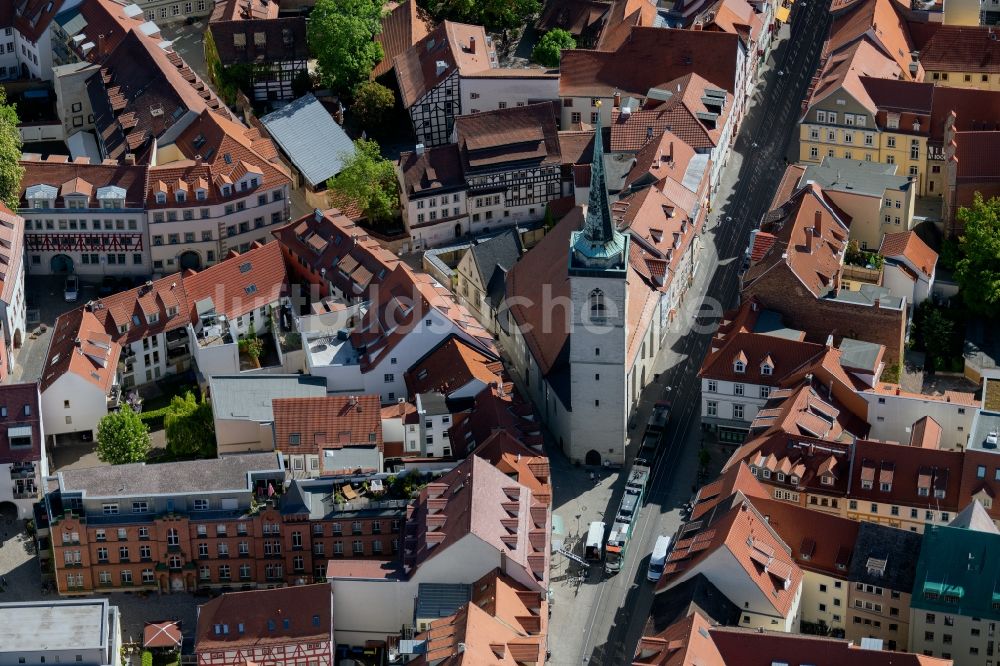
<point>978,270</point>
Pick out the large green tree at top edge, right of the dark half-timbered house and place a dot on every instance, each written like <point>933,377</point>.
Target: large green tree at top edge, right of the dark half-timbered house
<point>341,35</point>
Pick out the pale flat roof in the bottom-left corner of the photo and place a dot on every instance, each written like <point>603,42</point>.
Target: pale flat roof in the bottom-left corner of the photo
<point>56,625</point>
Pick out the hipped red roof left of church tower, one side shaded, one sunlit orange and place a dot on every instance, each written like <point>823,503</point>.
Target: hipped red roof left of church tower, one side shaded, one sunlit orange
<point>452,365</point>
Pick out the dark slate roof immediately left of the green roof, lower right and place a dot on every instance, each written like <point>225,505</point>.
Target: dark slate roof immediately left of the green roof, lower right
<point>899,548</point>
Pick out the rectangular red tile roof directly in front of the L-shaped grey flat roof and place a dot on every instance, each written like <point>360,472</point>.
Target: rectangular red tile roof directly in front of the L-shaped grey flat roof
<point>329,422</point>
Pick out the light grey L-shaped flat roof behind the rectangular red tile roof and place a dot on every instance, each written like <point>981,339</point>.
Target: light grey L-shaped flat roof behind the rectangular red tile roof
<point>249,396</point>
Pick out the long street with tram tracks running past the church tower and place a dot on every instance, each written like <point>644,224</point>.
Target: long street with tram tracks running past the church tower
<point>598,619</point>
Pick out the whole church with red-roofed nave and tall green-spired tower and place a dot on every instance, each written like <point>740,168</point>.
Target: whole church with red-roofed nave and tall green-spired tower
<point>587,309</point>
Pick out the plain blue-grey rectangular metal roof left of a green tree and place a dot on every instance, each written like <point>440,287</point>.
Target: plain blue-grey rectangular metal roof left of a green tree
<point>311,138</point>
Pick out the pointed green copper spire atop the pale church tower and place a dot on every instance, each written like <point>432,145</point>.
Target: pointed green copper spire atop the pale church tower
<point>598,246</point>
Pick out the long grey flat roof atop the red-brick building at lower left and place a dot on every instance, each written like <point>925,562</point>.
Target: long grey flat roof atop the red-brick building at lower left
<point>140,479</point>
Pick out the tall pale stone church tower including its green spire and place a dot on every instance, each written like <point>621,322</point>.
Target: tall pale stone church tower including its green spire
<point>598,266</point>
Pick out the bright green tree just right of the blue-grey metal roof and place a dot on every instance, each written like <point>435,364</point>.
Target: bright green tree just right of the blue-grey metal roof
<point>369,180</point>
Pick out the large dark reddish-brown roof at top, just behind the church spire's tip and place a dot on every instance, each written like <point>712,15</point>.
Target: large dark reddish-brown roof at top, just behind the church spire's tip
<point>667,55</point>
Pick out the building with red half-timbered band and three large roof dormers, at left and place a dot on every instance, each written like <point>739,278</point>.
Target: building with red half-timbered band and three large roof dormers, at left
<point>84,218</point>
